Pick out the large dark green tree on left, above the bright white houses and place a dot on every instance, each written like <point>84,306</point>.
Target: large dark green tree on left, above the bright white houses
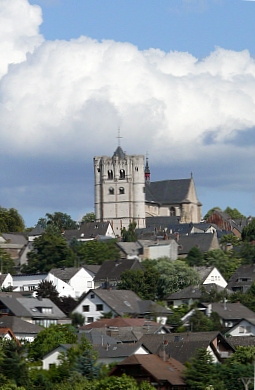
<point>49,251</point>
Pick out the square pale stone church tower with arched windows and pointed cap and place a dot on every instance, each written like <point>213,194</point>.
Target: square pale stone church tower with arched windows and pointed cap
<point>120,189</point>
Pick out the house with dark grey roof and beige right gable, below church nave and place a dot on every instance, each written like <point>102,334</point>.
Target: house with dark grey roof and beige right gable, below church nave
<point>204,242</point>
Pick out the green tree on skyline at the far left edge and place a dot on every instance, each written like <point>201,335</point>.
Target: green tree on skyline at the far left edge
<point>11,220</point>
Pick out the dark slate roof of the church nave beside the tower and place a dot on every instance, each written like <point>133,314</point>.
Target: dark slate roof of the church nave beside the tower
<point>167,191</point>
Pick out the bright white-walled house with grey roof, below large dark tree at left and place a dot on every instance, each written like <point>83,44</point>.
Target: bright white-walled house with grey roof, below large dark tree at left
<point>71,281</point>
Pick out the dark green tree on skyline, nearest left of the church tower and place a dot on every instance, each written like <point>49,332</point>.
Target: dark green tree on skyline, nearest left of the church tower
<point>57,222</point>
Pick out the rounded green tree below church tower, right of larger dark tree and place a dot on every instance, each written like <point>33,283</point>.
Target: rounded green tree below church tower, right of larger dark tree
<point>96,252</point>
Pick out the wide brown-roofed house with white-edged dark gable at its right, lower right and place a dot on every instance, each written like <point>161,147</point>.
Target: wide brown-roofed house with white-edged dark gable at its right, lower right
<point>183,346</point>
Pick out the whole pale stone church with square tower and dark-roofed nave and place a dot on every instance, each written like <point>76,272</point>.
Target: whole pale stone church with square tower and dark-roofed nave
<point>124,193</point>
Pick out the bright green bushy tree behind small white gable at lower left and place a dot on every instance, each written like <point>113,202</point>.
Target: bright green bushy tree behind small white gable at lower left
<point>50,338</point>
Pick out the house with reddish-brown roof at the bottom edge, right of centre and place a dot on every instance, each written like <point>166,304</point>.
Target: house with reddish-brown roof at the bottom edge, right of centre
<point>166,375</point>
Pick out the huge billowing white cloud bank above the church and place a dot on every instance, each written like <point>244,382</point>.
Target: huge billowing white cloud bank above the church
<point>69,97</point>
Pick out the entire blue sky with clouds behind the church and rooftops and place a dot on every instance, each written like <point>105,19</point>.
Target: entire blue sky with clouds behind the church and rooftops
<point>177,77</point>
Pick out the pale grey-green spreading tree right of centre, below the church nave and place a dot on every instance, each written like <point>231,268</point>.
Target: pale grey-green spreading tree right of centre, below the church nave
<point>174,275</point>
